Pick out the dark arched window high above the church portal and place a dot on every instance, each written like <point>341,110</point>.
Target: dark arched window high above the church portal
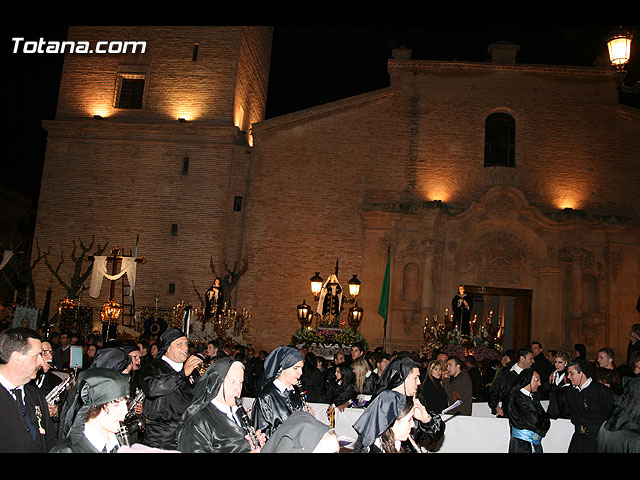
<point>500,141</point>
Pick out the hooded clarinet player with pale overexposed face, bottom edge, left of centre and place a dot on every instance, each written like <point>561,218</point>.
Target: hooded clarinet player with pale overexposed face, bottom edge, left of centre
<point>213,423</point>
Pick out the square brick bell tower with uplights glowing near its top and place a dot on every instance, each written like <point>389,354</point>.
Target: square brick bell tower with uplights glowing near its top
<point>138,172</point>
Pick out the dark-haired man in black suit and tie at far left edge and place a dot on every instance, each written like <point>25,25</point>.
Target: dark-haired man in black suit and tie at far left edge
<point>25,424</point>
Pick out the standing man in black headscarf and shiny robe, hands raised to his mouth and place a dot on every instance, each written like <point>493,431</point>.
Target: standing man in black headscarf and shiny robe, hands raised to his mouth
<point>167,383</point>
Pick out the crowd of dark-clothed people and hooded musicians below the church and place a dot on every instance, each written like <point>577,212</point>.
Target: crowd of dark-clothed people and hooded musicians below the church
<point>175,395</point>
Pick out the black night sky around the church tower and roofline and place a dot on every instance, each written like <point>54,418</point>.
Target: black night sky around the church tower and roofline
<point>311,65</point>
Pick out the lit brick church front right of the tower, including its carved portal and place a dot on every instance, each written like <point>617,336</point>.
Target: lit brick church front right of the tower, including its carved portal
<point>369,168</point>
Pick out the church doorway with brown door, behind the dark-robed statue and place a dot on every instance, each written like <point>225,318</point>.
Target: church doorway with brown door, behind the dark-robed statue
<point>507,307</point>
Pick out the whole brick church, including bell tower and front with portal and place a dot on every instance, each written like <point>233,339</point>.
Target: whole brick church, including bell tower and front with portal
<point>517,181</point>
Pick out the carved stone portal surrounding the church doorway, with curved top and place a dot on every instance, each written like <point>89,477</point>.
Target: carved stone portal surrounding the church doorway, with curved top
<point>566,276</point>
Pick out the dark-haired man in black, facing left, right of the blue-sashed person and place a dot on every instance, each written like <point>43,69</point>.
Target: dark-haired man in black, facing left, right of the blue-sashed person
<point>590,404</point>
